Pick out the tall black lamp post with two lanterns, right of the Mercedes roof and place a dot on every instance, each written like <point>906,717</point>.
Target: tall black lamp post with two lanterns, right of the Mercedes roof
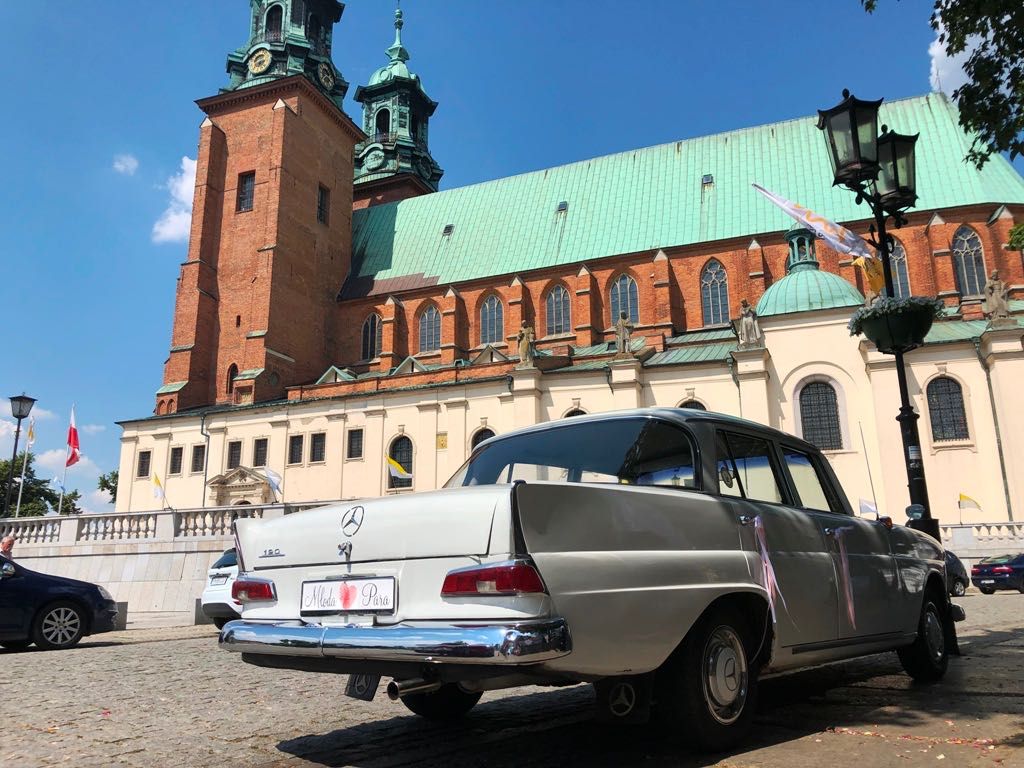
<point>881,170</point>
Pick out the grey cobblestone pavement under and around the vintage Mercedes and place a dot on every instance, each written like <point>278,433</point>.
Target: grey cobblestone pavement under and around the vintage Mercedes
<point>168,698</point>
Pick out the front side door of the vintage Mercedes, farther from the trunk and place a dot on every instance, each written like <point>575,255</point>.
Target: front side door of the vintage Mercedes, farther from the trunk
<point>870,592</point>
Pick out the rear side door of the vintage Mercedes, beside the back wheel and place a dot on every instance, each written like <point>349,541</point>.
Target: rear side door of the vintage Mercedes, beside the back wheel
<point>807,608</point>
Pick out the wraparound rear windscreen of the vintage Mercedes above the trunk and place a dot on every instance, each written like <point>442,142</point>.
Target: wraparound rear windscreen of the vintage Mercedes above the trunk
<point>634,452</point>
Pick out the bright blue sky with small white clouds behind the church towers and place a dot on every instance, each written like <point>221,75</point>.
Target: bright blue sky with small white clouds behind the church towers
<point>100,122</point>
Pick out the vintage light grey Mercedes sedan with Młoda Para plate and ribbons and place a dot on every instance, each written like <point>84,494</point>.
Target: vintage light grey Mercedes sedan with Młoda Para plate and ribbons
<point>669,557</point>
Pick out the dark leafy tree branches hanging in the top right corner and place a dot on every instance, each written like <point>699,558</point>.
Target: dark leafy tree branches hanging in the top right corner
<point>992,103</point>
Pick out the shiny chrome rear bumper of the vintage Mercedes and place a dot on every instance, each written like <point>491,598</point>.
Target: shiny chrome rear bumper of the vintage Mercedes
<point>524,643</point>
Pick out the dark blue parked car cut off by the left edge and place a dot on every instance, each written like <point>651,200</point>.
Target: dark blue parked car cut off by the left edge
<point>52,612</point>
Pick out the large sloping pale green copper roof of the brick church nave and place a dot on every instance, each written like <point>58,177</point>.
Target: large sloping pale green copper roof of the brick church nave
<point>649,199</point>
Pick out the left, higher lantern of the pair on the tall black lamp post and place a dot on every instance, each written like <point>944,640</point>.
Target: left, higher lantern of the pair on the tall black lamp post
<point>851,131</point>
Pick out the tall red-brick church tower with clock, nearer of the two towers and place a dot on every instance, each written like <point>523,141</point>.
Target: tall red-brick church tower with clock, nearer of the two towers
<point>271,239</point>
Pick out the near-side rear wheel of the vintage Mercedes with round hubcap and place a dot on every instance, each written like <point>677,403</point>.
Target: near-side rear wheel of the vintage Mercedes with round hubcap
<point>707,691</point>
